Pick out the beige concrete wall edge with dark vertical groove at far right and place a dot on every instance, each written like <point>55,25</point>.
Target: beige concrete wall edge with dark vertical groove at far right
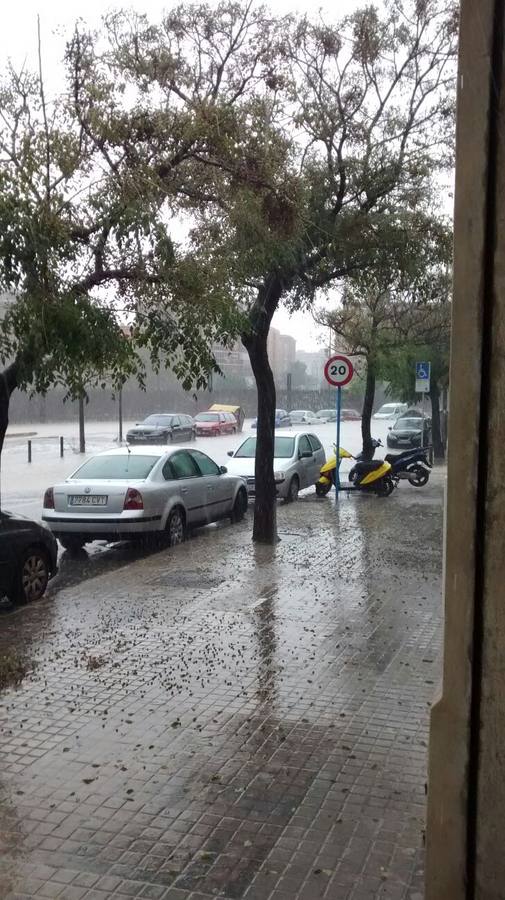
<point>466,799</point>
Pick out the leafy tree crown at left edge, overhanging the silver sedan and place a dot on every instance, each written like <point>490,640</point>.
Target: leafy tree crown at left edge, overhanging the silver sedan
<point>93,274</point>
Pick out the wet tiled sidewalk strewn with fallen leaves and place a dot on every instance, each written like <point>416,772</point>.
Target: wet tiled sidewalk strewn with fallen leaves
<point>230,721</point>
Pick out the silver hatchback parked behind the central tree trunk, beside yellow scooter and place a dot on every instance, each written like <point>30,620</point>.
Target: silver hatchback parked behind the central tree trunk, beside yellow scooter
<point>297,462</point>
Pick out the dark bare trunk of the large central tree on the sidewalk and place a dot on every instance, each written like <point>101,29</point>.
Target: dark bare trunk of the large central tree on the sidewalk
<point>255,342</point>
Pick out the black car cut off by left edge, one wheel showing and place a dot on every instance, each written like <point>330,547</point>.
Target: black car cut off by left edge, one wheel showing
<point>28,554</point>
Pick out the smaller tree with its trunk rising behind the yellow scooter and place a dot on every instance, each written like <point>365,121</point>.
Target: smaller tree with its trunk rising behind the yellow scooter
<point>400,297</point>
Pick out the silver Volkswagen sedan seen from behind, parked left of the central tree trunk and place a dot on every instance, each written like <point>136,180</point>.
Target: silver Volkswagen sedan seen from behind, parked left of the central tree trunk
<point>134,492</point>
